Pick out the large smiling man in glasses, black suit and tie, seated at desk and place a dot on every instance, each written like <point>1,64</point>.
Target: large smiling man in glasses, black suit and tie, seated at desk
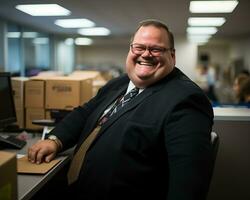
<point>147,132</point>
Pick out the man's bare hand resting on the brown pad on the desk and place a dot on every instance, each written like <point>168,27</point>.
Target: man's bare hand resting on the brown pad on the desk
<point>43,150</point>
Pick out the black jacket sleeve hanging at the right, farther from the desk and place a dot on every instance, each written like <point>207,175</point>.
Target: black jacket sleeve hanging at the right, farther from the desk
<point>187,140</point>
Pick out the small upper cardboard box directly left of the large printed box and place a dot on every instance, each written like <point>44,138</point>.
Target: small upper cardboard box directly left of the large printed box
<point>34,93</point>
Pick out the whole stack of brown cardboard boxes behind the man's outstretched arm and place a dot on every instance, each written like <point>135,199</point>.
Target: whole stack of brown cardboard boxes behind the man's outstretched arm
<point>37,96</point>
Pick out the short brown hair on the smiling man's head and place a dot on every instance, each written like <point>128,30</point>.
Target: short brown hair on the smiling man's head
<point>158,24</point>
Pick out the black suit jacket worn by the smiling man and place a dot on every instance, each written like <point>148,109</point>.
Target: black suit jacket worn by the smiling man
<point>157,147</point>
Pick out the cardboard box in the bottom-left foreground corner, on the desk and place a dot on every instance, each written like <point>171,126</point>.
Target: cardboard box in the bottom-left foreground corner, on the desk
<point>8,174</point>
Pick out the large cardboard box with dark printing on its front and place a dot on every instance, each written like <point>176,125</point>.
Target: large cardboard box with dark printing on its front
<point>67,92</point>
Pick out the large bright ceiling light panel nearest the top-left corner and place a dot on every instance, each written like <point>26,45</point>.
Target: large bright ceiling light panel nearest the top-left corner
<point>43,9</point>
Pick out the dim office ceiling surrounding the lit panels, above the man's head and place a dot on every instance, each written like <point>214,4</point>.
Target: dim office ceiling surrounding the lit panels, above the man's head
<point>121,16</point>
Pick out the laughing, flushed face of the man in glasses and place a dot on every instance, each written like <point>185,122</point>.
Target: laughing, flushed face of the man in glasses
<point>147,68</point>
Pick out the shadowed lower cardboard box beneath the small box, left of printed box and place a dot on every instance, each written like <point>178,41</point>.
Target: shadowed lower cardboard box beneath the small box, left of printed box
<point>34,114</point>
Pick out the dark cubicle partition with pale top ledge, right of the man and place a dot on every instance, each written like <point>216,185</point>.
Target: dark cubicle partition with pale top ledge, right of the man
<point>231,178</point>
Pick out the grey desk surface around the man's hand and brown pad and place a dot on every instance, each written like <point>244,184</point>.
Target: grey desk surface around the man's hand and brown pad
<point>28,185</point>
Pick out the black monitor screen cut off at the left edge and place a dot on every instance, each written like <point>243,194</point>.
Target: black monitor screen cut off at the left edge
<point>7,107</point>
